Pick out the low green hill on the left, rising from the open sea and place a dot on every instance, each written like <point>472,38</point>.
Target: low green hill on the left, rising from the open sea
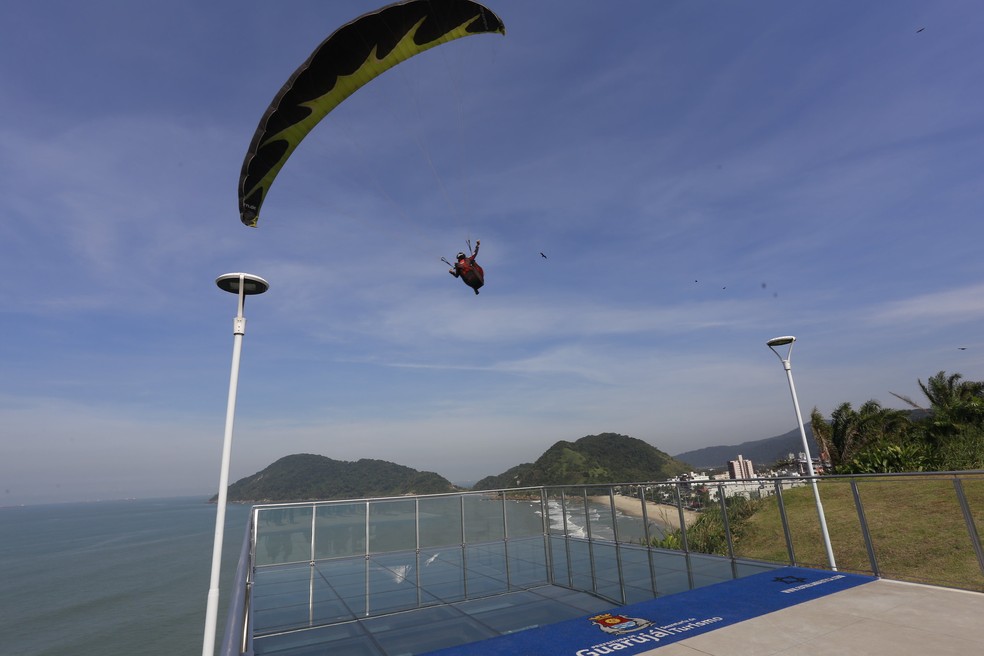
<point>304,477</point>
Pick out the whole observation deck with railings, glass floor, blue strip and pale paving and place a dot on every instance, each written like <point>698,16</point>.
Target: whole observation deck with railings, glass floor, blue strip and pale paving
<point>541,571</point>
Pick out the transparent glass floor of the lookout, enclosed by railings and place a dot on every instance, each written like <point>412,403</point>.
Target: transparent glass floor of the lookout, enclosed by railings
<point>413,603</point>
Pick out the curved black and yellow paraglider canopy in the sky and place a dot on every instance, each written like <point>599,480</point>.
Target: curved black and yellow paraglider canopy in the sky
<point>352,56</point>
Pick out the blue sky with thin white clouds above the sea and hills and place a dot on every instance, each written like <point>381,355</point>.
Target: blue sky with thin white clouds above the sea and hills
<point>702,176</point>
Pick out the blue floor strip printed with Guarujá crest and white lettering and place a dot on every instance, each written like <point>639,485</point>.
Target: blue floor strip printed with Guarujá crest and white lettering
<point>649,624</point>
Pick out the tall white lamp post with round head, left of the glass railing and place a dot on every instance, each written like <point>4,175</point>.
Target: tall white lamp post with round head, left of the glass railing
<point>243,285</point>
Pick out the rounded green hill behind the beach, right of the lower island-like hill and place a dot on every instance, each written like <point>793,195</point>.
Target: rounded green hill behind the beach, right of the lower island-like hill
<point>605,458</point>
